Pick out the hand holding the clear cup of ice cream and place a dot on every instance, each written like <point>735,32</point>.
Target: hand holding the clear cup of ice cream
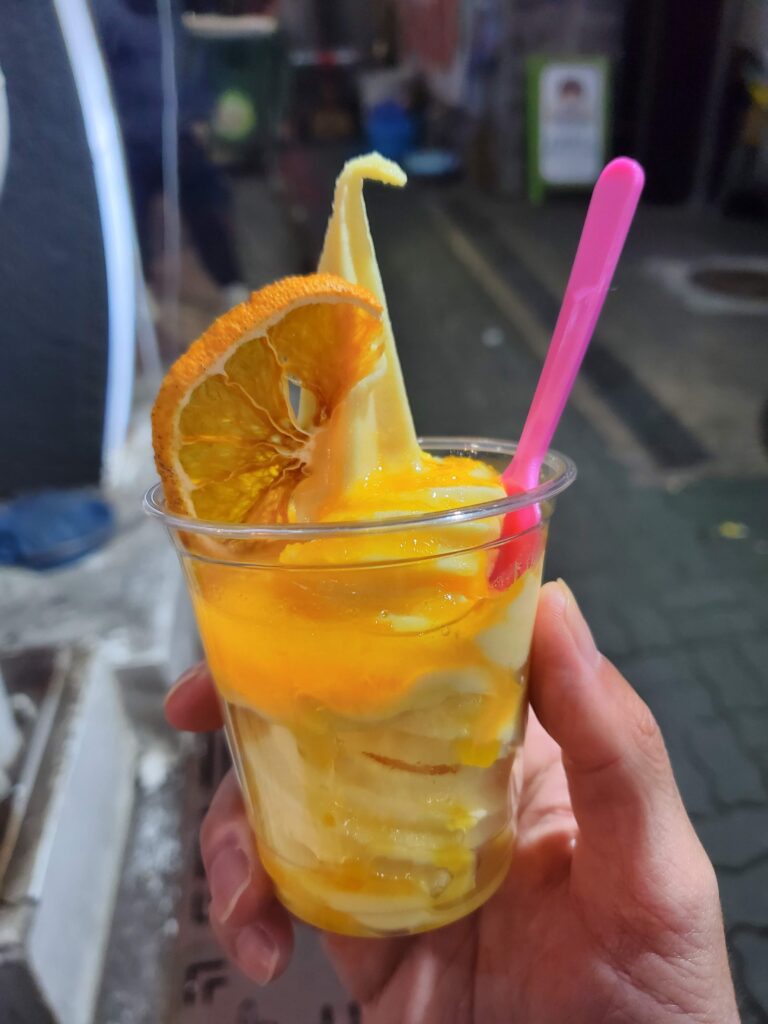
<point>611,909</point>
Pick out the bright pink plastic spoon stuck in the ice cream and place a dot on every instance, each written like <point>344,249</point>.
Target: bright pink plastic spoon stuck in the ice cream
<point>611,212</point>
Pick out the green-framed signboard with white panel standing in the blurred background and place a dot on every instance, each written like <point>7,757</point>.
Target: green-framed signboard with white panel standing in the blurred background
<point>569,103</point>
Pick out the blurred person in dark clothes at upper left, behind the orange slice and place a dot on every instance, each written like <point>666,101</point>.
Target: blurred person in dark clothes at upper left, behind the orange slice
<point>132,39</point>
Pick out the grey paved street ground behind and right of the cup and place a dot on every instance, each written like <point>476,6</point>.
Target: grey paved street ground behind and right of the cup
<point>678,600</point>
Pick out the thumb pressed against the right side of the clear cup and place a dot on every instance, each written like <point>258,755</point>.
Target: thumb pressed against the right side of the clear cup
<point>622,787</point>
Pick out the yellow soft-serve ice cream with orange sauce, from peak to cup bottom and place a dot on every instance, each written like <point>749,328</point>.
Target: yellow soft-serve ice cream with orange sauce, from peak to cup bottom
<point>374,681</point>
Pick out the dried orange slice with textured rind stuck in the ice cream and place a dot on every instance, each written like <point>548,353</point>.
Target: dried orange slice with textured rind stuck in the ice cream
<point>228,445</point>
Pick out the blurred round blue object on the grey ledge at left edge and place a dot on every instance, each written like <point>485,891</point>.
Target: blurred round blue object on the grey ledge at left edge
<point>53,528</point>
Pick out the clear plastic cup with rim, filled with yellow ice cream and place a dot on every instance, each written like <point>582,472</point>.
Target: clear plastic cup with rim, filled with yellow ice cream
<point>374,688</point>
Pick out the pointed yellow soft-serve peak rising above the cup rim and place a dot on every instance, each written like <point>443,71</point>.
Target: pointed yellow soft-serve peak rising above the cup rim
<point>366,460</point>
